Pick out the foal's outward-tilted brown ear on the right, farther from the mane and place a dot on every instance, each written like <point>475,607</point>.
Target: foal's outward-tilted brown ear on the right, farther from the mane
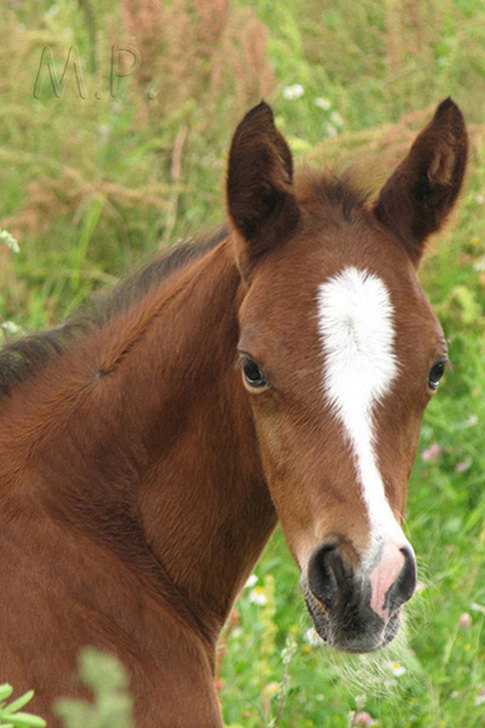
<point>418,196</point>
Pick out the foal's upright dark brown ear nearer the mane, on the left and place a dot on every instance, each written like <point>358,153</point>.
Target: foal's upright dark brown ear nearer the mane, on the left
<point>260,198</point>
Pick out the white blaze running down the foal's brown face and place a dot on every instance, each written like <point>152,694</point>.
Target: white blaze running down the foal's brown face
<point>355,318</point>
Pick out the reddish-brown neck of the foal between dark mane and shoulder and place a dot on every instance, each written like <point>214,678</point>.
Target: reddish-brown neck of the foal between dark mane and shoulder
<point>159,460</point>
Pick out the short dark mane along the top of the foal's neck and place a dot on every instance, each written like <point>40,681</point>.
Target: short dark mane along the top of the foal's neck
<point>23,357</point>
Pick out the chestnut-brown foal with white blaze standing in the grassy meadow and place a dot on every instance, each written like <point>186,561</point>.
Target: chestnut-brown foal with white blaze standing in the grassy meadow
<point>280,373</point>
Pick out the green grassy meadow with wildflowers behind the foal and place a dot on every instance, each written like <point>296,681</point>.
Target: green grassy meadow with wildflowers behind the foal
<point>126,154</point>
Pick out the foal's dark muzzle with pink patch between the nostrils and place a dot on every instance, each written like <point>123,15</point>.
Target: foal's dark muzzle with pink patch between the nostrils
<point>358,609</point>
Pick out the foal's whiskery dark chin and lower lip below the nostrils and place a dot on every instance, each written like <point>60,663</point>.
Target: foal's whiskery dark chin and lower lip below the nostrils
<point>330,629</point>
